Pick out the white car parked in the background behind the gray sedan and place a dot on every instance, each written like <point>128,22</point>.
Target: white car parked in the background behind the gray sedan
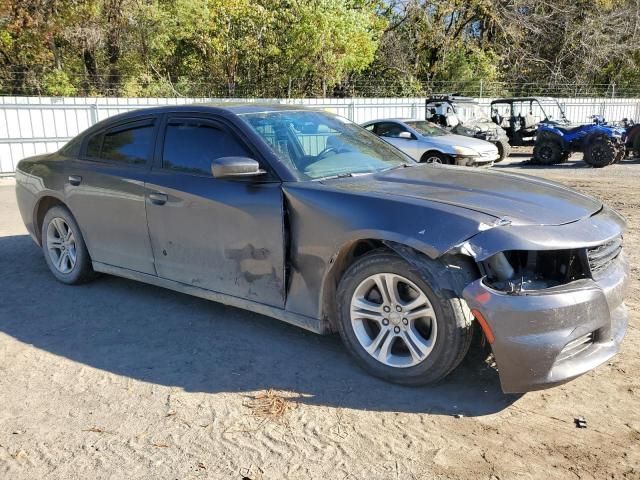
<point>428,143</point>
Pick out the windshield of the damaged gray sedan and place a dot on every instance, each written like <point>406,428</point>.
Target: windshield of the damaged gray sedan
<point>319,145</point>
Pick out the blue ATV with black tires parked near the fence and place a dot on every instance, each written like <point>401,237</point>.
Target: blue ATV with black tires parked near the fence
<point>601,144</point>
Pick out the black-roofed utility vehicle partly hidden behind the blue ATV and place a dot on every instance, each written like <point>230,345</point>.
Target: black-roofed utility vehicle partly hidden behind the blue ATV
<point>520,117</point>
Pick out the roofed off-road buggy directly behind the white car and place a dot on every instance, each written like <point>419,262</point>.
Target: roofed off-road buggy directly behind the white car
<point>464,116</point>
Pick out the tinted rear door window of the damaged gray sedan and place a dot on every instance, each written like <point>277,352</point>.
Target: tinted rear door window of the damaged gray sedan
<point>131,143</point>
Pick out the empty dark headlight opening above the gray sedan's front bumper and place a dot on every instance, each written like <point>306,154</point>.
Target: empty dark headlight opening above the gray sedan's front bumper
<point>519,271</point>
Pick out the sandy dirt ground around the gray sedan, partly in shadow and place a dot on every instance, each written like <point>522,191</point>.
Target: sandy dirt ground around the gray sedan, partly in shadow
<point>116,379</point>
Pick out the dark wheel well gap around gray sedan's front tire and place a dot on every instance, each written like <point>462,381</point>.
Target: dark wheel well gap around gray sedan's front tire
<point>339,265</point>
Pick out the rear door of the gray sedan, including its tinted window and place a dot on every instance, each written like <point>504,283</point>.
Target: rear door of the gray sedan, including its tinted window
<point>105,191</point>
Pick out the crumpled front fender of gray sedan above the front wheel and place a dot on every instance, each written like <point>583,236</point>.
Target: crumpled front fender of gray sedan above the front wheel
<point>324,222</point>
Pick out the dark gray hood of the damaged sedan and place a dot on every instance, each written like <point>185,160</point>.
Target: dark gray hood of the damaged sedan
<point>523,200</point>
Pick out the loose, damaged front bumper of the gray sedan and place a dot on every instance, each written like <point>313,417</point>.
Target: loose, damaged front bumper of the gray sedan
<point>552,336</point>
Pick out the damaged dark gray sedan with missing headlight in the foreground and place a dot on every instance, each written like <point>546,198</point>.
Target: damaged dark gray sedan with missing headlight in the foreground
<point>308,218</point>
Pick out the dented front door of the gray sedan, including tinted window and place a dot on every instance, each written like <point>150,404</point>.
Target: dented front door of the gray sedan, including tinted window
<point>224,235</point>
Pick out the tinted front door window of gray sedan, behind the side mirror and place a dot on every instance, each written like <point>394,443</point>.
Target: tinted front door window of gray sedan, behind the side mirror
<point>191,145</point>
